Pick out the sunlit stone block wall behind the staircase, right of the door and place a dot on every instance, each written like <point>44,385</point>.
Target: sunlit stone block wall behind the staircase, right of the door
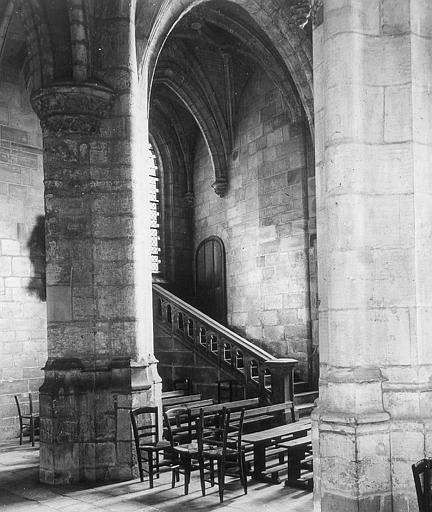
<point>263,222</point>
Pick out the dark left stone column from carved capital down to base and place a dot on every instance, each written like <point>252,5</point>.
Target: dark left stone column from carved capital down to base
<point>100,342</point>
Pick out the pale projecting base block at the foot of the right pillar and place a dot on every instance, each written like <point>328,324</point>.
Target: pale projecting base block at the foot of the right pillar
<point>352,462</point>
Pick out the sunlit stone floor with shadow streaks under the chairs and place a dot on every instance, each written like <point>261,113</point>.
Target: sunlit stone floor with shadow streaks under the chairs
<point>20,491</point>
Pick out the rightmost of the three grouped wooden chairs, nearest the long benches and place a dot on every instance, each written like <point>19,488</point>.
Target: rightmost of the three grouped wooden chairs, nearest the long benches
<point>224,447</point>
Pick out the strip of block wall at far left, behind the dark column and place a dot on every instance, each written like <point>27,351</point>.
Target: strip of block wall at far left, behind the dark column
<point>22,259</point>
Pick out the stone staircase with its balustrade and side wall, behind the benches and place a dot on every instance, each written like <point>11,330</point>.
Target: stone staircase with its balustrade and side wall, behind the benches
<point>189,344</point>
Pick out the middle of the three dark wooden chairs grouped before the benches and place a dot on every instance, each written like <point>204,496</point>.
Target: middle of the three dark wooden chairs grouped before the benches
<point>184,445</point>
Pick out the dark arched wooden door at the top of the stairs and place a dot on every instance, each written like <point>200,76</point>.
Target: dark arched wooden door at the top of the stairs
<point>210,278</point>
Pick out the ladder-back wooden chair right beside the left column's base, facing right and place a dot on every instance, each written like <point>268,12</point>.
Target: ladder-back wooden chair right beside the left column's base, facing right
<point>145,425</point>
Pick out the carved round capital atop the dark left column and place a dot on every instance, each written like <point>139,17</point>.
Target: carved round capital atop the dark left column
<point>71,108</point>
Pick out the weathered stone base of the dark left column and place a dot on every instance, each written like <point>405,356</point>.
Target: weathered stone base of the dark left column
<point>85,431</point>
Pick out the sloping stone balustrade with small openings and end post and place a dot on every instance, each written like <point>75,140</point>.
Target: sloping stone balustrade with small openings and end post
<point>254,368</point>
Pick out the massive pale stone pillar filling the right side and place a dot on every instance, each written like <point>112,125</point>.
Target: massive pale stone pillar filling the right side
<point>373,108</point>
